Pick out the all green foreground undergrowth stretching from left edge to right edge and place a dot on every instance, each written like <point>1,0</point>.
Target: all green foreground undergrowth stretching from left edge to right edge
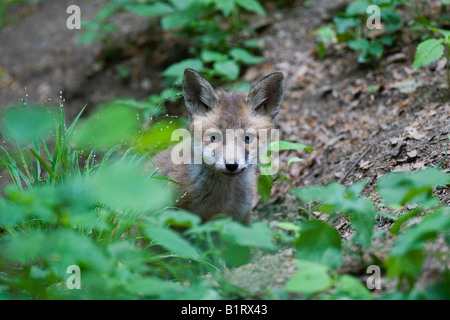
<point>116,220</point>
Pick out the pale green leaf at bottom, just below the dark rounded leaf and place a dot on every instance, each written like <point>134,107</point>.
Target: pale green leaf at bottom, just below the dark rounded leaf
<point>313,277</point>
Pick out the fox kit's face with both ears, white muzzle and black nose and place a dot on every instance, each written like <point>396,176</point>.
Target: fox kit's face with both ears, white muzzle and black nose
<point>231,128</point>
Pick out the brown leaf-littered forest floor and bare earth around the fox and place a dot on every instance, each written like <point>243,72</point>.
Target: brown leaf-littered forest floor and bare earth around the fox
<point>362,121</point>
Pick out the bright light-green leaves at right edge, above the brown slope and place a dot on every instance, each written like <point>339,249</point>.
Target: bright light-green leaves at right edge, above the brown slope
<point>434,49</point>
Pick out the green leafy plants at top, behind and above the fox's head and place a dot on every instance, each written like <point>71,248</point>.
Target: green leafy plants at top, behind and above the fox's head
<point>220,38</point>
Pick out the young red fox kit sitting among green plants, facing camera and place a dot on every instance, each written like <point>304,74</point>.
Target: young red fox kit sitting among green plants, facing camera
<point>224,180</point>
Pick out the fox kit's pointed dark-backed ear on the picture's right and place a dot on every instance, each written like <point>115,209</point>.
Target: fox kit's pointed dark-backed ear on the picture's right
<point>266,97</point>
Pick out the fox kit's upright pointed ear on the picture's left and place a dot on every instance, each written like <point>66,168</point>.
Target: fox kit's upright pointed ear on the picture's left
<point>199,95</point>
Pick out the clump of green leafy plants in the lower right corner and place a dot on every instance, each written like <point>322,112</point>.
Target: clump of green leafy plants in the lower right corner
<point>319,246</point>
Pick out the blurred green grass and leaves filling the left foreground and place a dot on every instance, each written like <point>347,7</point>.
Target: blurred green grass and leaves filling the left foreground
<point>80,196</point>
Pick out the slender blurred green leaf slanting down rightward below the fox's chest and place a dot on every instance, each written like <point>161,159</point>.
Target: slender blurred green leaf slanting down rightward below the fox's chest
<point>173,242</point>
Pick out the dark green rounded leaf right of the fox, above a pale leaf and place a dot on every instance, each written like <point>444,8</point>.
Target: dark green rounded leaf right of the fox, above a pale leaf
<point>319,242</point>
